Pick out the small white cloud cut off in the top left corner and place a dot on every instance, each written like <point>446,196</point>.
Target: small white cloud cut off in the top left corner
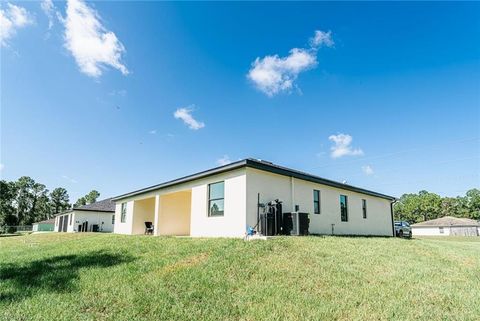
<point>11,19</point>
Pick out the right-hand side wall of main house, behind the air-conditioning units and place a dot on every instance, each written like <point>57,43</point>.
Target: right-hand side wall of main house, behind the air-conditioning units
<point>299,192</point>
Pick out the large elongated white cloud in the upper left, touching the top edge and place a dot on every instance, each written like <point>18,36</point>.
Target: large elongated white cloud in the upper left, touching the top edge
<point>92,46</point>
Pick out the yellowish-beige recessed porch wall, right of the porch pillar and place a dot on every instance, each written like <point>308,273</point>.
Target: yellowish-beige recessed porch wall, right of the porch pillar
<point>175,209</point>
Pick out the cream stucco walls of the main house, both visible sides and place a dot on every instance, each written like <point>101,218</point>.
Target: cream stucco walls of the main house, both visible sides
<point>241,189</point>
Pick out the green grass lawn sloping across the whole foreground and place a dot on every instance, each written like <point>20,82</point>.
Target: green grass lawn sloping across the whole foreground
<point>113,277</point>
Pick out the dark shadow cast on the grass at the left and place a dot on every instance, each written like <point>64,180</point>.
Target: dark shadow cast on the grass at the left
<point>53,274</point>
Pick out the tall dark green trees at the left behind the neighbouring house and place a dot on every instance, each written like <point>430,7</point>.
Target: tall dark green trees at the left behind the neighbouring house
<point>26,201</point>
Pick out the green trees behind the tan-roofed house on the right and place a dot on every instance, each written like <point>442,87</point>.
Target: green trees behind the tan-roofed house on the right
<point>426,206</point>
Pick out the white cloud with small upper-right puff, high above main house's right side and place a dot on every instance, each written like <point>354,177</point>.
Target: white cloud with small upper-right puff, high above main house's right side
<point>274,74</point>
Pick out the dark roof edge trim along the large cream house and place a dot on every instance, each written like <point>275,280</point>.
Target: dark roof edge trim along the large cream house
<point>260,165</point>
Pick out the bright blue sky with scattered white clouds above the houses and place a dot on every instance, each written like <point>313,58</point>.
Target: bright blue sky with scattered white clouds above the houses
<point>386,98</point>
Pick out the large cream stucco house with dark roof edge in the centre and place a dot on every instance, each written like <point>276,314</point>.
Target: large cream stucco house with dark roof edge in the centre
<point>225,200</point>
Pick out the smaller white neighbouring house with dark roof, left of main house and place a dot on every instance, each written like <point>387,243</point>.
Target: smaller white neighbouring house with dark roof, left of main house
<point>95,217</point>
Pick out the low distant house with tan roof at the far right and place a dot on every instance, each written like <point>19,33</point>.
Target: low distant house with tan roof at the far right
<point>447,225</point>
